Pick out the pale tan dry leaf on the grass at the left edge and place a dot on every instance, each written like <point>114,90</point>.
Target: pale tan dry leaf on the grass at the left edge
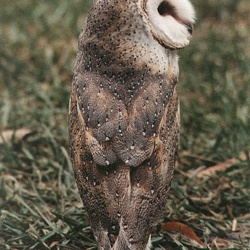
<point>7,135</point>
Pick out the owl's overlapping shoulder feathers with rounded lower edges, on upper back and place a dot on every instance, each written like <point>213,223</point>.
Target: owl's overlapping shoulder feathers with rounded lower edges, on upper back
<point>123,126</point>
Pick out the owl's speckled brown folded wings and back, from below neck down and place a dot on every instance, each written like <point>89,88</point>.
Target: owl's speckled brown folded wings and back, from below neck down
<point>123,148</point>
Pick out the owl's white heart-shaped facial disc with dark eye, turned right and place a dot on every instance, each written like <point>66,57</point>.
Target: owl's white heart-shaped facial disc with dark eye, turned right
<point>170,21</point>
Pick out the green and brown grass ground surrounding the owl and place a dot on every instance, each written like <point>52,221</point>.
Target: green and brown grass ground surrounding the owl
<point>39,205</point>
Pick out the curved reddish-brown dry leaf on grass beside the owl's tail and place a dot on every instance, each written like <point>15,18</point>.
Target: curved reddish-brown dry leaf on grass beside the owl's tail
<point>183,229</point>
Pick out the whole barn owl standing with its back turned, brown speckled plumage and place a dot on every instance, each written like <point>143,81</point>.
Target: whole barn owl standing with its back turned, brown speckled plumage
<point>124,115</point>
